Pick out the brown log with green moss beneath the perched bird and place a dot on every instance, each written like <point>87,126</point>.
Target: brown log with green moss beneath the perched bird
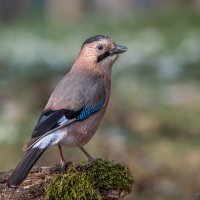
<point>98,180</point>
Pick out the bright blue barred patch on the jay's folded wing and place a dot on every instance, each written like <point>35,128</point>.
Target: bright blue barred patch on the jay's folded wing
<point>89,110</point>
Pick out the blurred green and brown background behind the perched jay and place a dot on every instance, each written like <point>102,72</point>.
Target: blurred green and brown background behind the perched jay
<point>153,119</point>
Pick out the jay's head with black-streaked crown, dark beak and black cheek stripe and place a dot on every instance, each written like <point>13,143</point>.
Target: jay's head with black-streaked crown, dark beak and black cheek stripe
<point>100,52</point>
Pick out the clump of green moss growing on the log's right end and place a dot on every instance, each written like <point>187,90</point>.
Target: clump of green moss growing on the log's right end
<point>88,181</point>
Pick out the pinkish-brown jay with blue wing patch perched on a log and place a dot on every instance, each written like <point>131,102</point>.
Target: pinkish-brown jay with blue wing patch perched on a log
<point>75,107</point>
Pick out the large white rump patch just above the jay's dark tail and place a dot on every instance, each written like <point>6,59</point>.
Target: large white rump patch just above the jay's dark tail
<point>49,140</point>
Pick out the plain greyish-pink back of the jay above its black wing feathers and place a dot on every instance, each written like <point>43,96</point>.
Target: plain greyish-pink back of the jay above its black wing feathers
<point>77,89</point>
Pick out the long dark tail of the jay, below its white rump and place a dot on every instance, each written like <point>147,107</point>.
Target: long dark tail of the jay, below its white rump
<point>23,168</point>
